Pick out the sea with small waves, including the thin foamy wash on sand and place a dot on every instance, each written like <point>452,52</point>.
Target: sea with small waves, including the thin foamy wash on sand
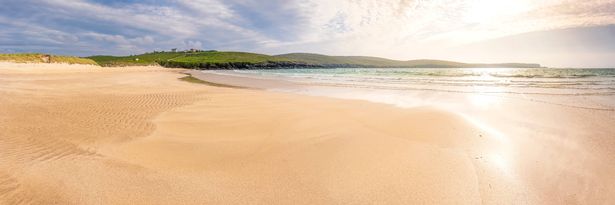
<point>574,87</point>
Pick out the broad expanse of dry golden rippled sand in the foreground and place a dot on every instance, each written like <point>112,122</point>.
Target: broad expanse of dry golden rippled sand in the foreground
<point>74,134</point>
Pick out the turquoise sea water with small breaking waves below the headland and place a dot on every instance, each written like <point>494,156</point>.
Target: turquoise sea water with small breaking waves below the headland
<point>546,81</point>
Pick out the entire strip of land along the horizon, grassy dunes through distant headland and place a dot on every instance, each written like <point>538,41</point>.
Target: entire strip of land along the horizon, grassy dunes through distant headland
<point>212,59</point>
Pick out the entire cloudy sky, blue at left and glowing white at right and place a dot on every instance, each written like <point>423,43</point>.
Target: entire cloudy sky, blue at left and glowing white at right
<point>556,33</point>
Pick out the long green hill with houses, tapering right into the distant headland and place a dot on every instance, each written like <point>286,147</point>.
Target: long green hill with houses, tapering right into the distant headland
<point>243,60</point>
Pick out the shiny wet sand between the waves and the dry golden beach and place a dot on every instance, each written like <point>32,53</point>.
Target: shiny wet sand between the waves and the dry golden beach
<point>532,129</point>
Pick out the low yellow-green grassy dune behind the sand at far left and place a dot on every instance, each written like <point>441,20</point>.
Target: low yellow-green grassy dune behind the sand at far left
<point>44,58</point>
